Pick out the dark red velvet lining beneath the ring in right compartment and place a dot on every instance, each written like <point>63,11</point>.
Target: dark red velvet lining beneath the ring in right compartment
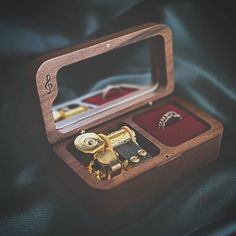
<point>176,133</point>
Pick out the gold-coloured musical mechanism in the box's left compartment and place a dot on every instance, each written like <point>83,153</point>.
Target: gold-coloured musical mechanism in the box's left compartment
<point>111,153</point>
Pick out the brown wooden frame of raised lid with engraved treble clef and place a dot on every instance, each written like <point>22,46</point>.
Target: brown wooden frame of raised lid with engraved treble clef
<point>49,66</point>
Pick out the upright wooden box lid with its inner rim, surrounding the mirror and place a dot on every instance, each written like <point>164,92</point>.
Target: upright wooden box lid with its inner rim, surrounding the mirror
<point>161,68</point>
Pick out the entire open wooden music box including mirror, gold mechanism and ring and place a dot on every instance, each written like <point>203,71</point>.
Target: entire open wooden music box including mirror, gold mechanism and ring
<point>122,134</point>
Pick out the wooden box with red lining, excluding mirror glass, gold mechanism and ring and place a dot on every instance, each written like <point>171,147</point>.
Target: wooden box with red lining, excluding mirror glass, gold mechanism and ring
<point>176,151</point>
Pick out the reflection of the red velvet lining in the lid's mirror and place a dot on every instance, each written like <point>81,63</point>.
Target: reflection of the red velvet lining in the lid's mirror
<point>111,95</point>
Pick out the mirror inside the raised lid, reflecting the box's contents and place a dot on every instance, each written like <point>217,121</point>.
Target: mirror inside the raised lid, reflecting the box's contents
<point>99,83</point>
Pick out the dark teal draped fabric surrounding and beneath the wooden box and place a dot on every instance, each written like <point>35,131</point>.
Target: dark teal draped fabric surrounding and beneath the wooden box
<point>34,200</point>
